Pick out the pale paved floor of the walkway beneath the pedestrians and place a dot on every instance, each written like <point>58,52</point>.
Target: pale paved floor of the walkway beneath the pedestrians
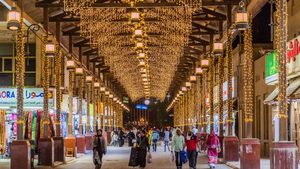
<point>117,158</point>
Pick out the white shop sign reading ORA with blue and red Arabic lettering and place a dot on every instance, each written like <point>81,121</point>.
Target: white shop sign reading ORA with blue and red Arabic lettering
<point>33,98</point>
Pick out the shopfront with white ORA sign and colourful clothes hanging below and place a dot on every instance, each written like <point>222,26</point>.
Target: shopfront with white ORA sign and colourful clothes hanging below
<point>33,106</point>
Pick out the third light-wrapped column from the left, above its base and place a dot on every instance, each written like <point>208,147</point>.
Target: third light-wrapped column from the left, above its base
<point>58,60</point>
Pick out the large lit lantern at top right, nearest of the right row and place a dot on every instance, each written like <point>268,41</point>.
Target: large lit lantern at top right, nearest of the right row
<point>241,17</point>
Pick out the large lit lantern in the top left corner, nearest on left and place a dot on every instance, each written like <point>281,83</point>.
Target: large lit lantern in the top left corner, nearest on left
<point>13,19</point>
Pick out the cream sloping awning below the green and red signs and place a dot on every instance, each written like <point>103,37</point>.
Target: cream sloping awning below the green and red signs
<point>292,87</point>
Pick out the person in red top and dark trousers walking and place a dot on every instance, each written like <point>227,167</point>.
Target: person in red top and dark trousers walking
<point>191,142</point>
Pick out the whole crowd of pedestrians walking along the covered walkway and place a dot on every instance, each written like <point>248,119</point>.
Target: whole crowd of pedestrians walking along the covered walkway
<point>144,138</point>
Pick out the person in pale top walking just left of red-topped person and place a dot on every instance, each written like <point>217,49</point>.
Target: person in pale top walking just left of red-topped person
<point>177,146</point>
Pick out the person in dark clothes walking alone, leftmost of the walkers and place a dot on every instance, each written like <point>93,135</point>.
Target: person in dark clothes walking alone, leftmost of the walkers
<point>99,148</point>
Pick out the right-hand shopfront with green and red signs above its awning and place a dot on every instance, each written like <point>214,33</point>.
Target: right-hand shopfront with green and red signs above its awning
<point>293,92</point>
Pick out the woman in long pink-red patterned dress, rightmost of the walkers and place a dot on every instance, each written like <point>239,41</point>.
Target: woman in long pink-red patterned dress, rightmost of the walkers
<point>213,148</point>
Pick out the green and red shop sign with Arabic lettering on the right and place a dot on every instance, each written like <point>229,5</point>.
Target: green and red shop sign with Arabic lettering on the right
<point>292,62</point>
